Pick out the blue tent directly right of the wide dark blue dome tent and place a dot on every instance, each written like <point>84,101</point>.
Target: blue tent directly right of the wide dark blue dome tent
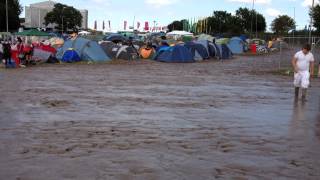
<point>199,52</point>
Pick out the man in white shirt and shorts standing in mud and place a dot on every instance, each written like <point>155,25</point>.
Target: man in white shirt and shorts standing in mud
<point>303,64</point>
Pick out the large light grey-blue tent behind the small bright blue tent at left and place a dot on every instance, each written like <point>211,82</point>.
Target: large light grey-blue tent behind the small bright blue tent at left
<point>86,49</point>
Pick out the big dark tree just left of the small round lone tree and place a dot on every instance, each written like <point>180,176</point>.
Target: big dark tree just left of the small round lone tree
<point>251,20</point>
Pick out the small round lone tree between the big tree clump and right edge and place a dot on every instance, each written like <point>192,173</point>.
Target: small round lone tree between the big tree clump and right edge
<point>282,24</point>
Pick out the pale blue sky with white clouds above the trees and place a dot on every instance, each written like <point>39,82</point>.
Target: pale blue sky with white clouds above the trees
<point>166,11</point>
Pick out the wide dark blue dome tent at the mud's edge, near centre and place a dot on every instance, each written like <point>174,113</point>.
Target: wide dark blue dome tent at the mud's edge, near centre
<point>174,54</point>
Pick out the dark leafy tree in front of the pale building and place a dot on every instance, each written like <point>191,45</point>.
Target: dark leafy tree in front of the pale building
<point>65,17</point>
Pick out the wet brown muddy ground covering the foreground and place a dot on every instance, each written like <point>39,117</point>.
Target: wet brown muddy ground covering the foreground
<point>149,120</point>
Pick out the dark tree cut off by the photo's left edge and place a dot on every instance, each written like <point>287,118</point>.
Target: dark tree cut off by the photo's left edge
<point>14,10</point>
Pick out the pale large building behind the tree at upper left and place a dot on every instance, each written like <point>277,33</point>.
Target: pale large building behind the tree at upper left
<point>35,13</point>
